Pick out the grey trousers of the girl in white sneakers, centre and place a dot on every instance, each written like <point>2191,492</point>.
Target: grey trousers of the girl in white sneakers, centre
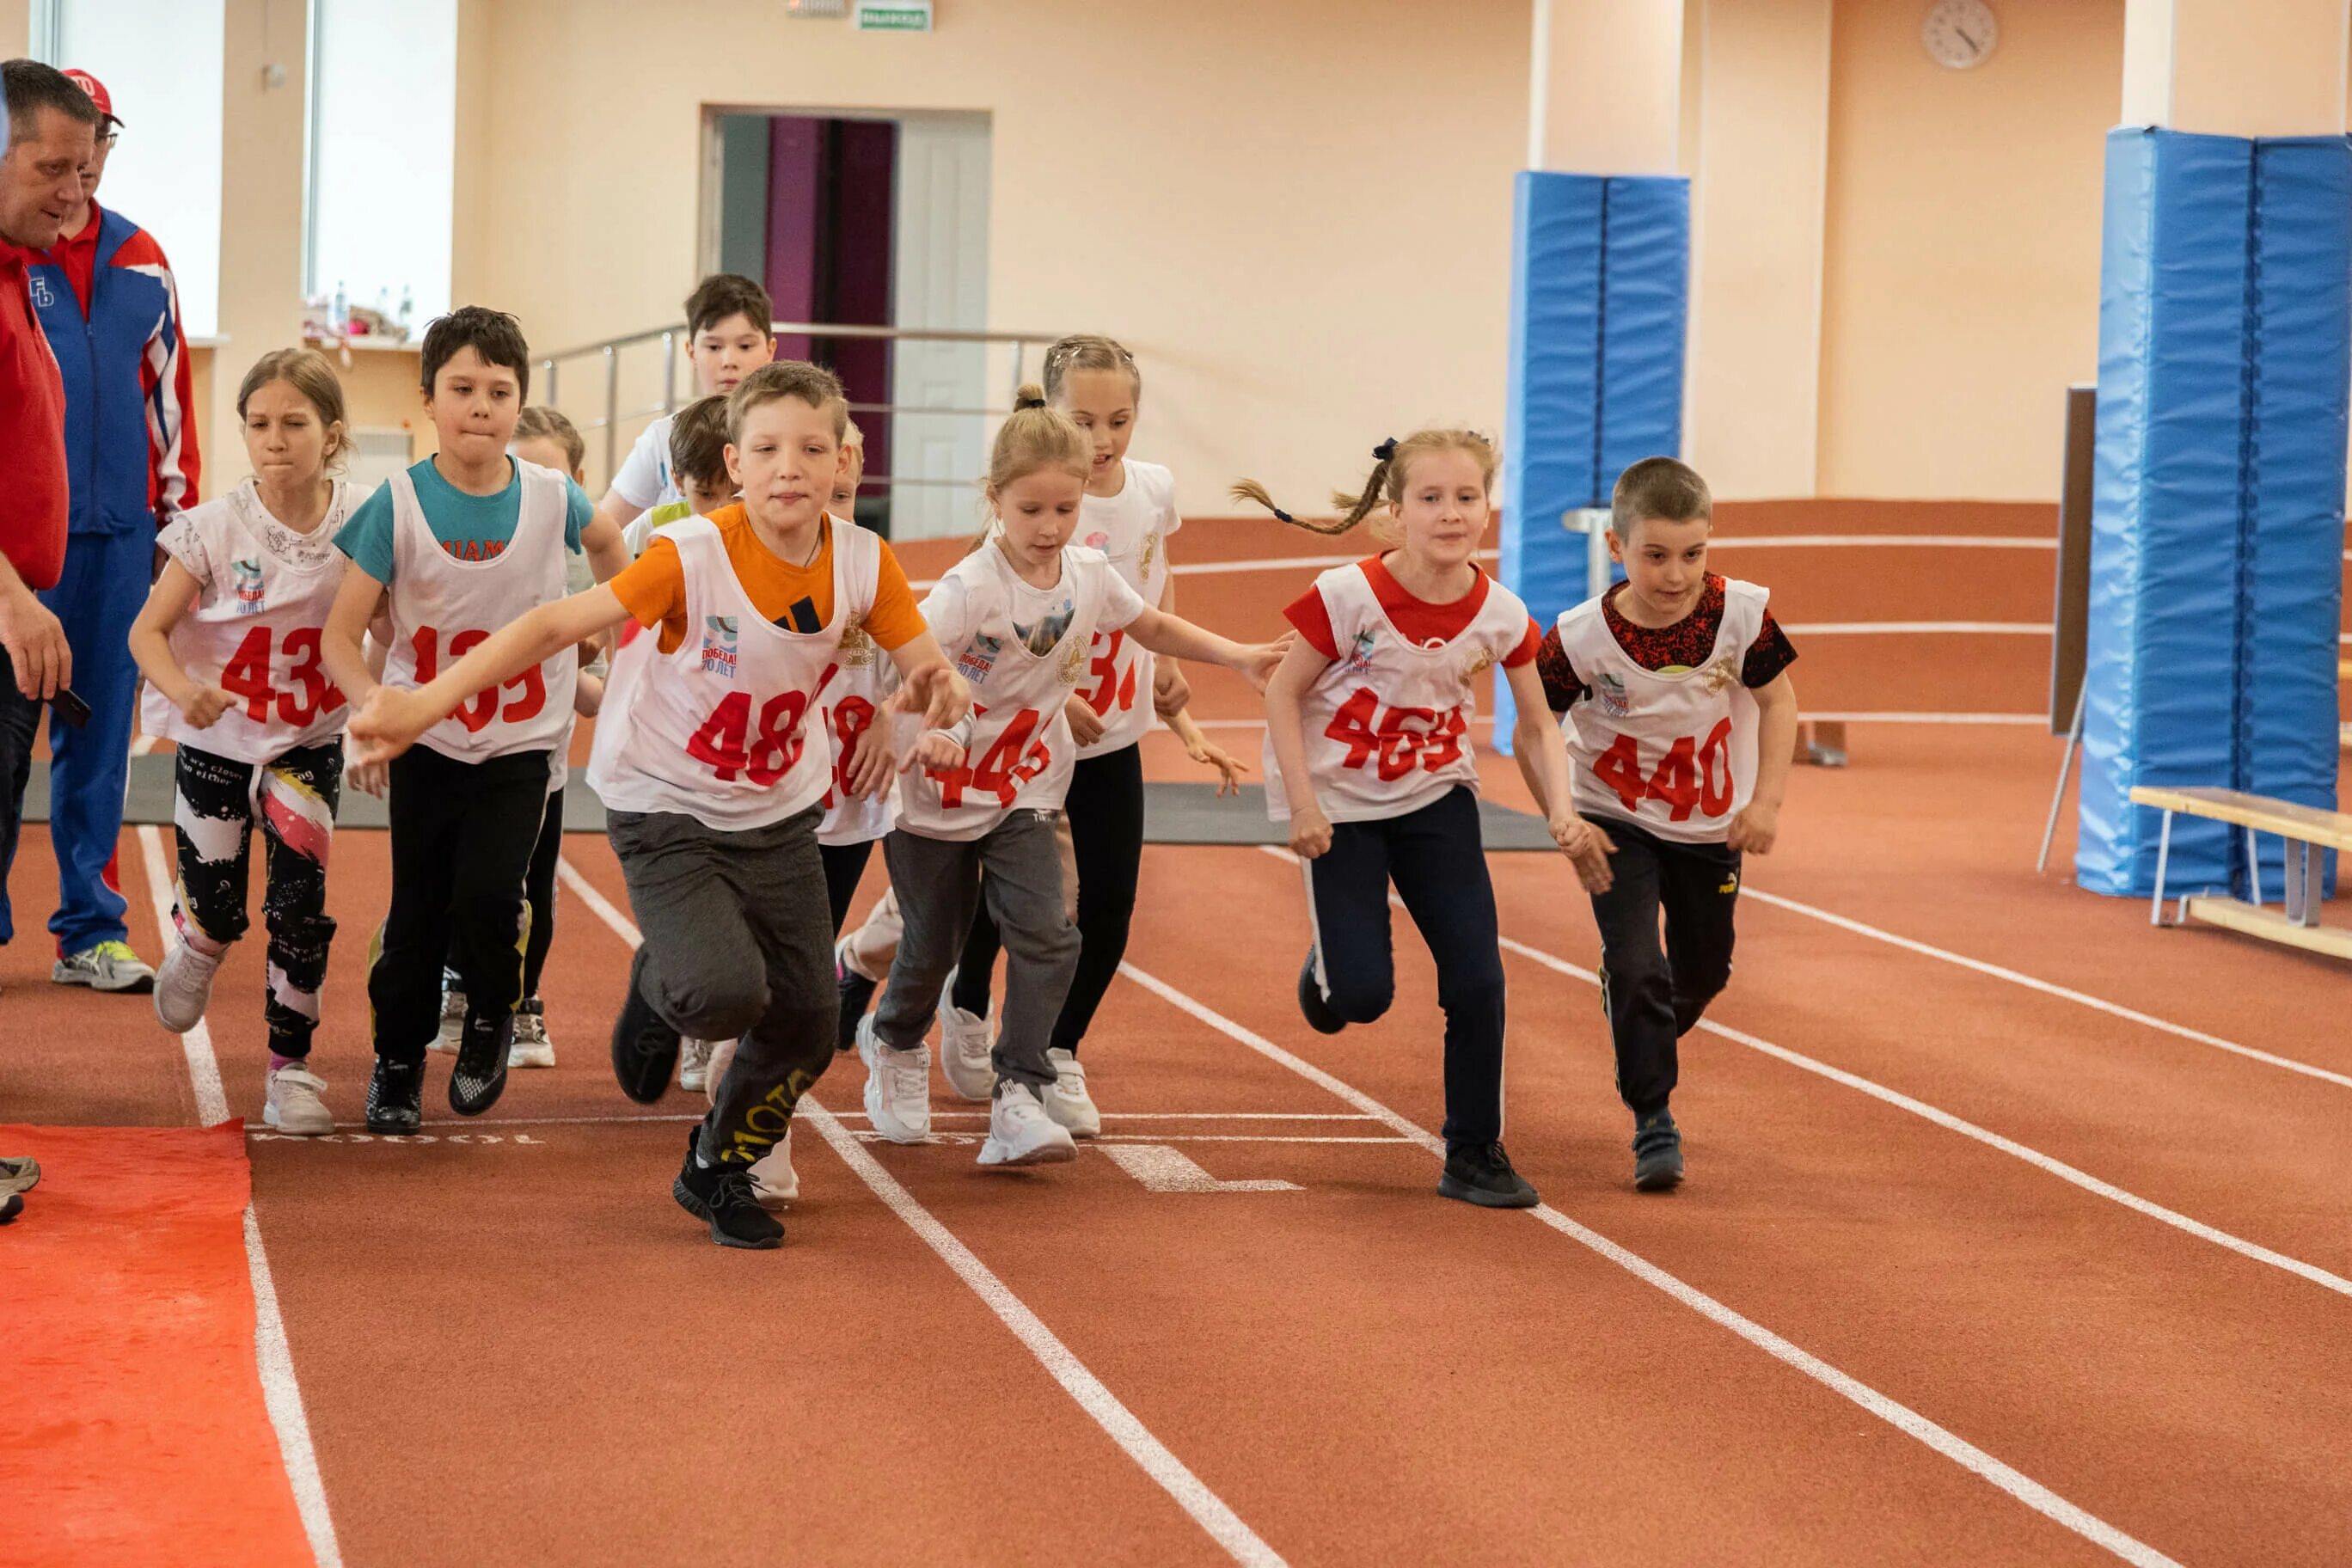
<point>940,887</point>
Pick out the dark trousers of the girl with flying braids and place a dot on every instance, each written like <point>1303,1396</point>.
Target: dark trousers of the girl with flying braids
<point>1441,873</point>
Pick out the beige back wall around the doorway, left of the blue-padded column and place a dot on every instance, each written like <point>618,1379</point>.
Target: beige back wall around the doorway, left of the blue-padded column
<point>1299,215</point>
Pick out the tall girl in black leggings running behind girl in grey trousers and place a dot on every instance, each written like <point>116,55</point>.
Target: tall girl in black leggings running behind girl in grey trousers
<point>1130,516</point>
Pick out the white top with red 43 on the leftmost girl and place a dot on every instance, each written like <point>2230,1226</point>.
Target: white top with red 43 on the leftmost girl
<point>258,622</point>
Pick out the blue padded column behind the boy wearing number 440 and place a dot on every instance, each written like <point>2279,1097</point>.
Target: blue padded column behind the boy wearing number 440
<point>1598,309</point>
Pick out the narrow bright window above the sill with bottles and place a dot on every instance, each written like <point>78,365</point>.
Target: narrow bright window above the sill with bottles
<point>382,152</point>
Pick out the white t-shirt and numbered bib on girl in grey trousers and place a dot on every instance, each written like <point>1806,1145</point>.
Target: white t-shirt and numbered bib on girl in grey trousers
<point>1022,650</point>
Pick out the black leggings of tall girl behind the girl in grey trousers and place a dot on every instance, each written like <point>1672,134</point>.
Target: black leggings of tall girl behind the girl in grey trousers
<point>1107,840</point>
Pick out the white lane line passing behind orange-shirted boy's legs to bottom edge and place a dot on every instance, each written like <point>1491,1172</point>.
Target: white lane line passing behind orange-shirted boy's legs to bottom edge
<point>1135,1440</point>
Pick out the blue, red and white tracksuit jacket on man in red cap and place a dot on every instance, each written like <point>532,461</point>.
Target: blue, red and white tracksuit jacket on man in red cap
<point>131,438</point>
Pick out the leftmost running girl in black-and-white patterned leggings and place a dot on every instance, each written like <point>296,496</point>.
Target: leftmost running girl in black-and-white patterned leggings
<point>229,643</point>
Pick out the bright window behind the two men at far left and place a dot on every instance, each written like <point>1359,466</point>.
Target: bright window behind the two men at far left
<point>161,62</point>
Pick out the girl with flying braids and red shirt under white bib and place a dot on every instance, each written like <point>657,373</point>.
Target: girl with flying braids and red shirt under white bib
<point>1372,763</point>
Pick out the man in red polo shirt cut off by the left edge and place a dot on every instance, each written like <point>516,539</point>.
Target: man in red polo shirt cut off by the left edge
<point>51,133</point>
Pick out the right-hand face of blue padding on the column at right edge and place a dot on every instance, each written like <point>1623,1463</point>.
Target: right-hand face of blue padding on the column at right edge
<point>2294,523</point>
